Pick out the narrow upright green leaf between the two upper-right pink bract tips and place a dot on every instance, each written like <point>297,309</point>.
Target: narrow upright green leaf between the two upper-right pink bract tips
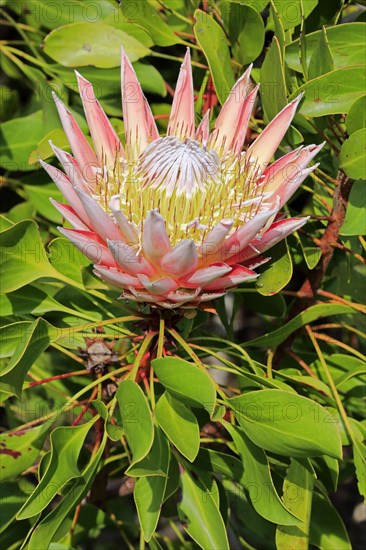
<point>272,77</point>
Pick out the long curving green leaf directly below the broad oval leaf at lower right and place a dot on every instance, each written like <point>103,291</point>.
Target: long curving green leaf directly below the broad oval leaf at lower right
<point>257,480</point>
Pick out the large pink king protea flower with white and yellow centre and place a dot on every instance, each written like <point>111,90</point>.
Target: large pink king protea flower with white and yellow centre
<point>176,220</point>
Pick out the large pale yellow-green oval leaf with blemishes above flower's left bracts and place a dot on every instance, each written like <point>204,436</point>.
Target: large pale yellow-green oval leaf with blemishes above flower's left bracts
<point>79,44</point>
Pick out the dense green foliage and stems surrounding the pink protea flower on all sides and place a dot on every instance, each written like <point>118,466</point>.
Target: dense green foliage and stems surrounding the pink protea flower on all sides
<point>203,424</point>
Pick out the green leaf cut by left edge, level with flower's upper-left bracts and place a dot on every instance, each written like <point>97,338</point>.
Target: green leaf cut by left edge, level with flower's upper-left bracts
<point>18,138</point>
